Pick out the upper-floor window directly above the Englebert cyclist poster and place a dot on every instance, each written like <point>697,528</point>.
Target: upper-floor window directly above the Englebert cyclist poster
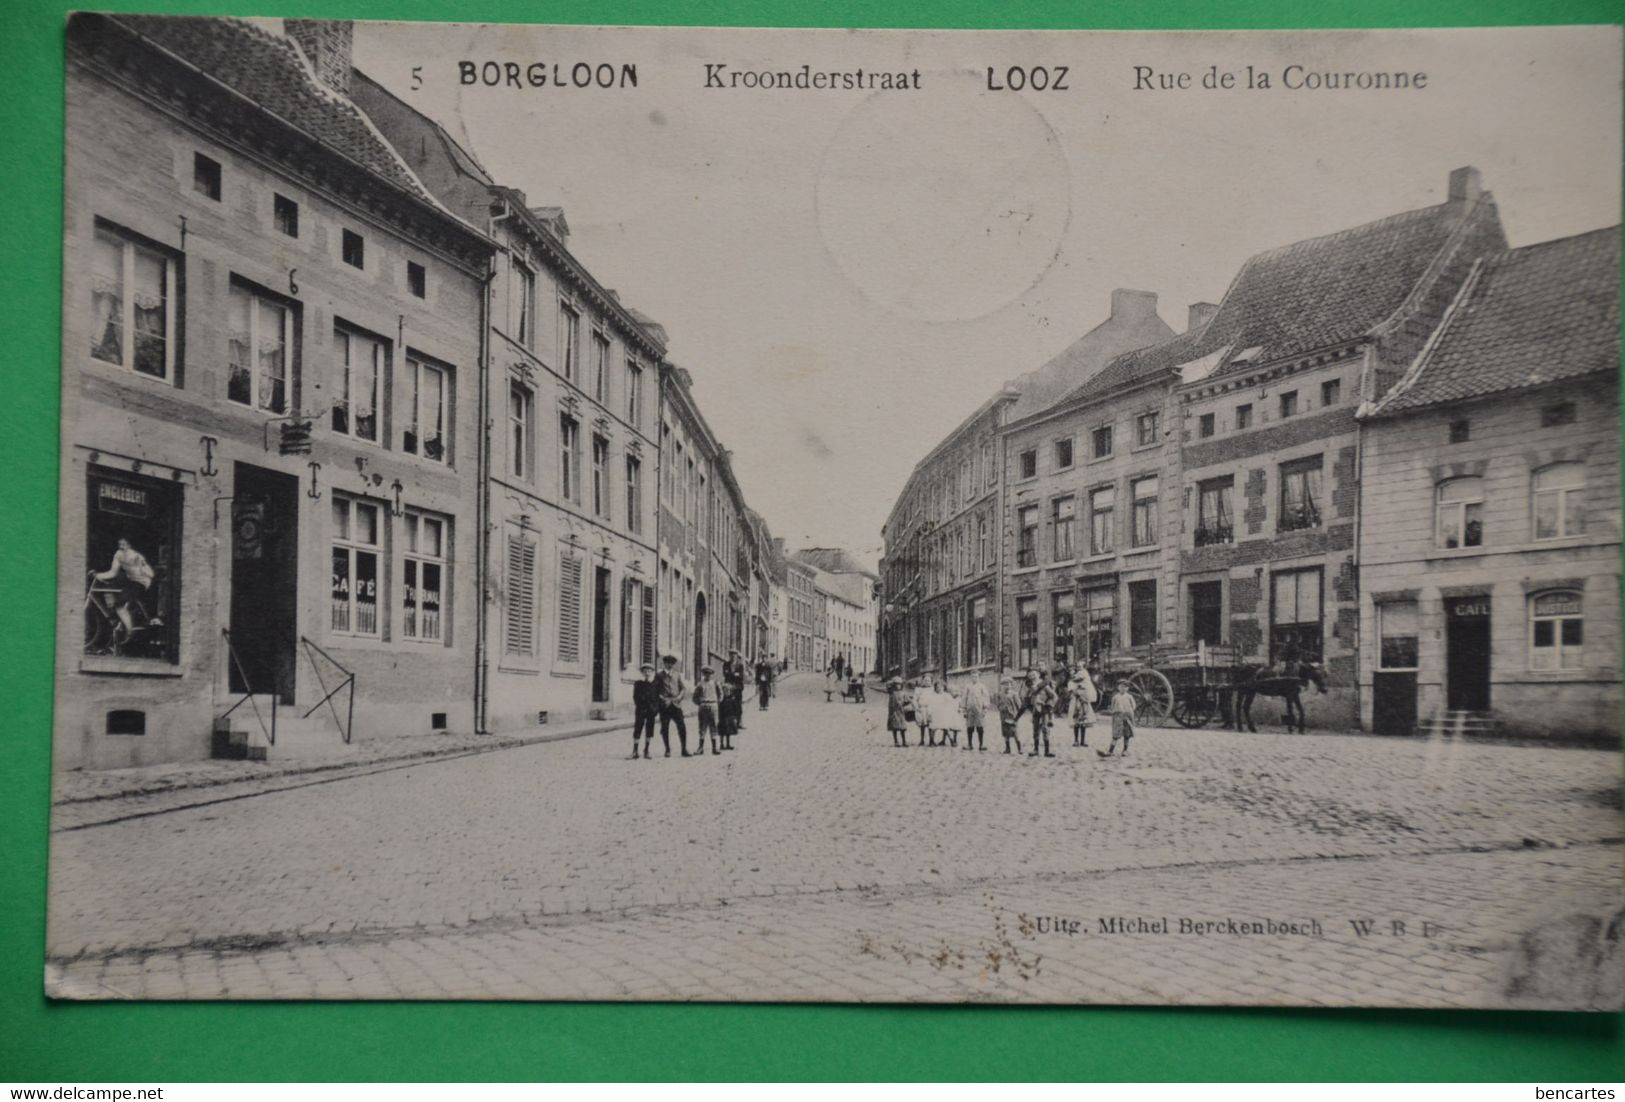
<point>134,305</point>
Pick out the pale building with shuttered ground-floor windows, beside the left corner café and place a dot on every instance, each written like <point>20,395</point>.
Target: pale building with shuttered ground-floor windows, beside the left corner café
<point>571,397</point>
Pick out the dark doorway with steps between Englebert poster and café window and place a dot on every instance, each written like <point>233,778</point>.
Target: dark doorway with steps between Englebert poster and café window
<point>264,581</point>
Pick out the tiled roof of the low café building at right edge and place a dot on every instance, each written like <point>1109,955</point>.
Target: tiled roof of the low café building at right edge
<point>1530,316</point>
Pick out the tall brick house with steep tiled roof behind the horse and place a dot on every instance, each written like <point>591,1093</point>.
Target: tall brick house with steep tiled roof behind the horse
<point>1267,402</point>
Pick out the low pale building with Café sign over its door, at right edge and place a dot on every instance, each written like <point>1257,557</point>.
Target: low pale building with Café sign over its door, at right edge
<point>1491,518</point>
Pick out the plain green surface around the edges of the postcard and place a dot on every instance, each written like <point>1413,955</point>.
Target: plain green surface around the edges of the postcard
<point>59,1044</point>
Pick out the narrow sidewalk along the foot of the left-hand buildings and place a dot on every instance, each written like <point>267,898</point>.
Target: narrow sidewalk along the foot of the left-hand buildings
<point>89,787</point>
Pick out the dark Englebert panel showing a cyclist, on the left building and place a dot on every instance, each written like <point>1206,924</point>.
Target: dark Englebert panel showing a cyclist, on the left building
<point>132,549</point>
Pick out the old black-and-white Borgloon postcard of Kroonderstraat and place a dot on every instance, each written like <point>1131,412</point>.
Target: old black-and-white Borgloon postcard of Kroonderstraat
<point>522,487</point>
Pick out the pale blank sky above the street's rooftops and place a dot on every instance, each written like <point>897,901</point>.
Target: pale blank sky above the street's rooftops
<point>851,274</point>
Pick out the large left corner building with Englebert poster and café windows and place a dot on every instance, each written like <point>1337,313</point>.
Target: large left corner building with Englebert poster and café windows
<point>271,368</point>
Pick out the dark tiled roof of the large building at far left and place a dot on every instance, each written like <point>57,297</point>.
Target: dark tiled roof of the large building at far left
<point>271,71</point>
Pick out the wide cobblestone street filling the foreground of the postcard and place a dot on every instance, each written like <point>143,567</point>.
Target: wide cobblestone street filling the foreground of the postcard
<point>818,862</point>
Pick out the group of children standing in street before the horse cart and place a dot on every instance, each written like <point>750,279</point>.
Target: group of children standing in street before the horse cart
<point>938,713</point>
